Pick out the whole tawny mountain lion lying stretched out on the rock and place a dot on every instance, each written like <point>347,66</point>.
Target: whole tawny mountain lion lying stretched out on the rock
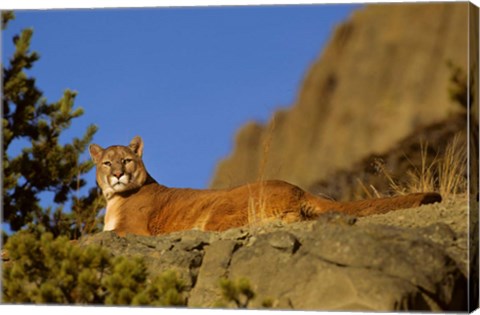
<point>137,204</point>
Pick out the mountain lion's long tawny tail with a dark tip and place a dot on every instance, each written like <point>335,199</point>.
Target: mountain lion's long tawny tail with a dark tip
<point>383,205</point>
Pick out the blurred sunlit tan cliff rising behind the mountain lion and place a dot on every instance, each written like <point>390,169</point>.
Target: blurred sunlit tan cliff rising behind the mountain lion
<point>382,75</point>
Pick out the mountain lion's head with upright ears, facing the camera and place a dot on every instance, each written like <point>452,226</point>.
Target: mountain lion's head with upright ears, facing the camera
<point>120,168</point>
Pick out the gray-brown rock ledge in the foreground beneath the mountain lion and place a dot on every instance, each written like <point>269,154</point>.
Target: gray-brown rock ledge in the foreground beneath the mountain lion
<point>334,263</point>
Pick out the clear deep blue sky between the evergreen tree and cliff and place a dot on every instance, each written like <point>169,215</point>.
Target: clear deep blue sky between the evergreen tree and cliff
<point>184,79</point>
